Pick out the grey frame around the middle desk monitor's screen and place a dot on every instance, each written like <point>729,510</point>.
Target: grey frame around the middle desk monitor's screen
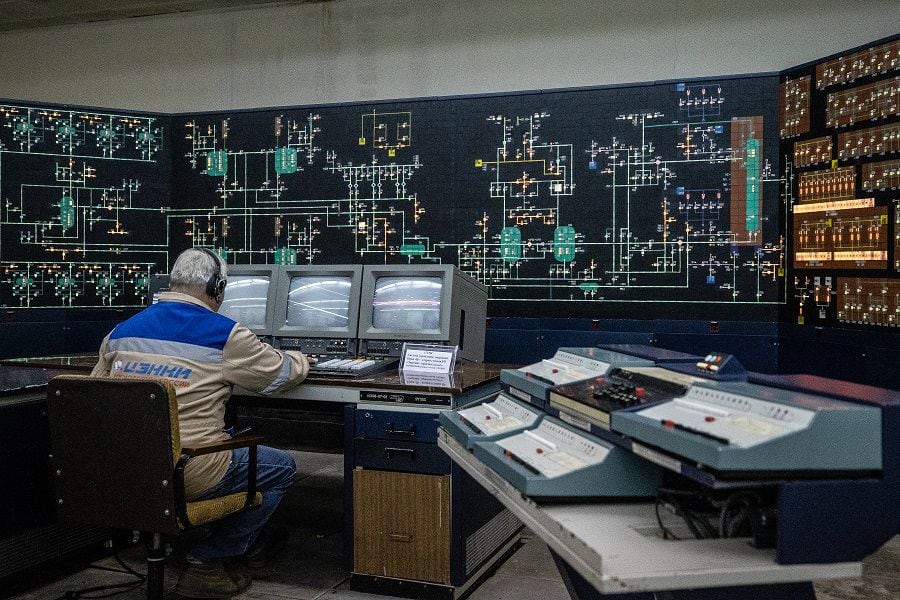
<point>281,301</point>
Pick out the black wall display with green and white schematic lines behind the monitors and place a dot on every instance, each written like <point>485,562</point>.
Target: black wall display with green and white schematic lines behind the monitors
<point>652,201</point>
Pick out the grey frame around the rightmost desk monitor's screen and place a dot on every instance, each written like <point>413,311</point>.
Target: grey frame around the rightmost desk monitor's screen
<point>371,273</point>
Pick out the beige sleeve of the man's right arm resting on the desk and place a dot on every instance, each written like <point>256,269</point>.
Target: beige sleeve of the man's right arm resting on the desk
<point>259,367</point>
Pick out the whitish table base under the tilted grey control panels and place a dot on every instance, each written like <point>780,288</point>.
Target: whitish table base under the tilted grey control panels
<point>615,546</point>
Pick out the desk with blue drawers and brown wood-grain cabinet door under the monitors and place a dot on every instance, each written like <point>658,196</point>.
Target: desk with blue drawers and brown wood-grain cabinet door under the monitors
<point>412,516</point>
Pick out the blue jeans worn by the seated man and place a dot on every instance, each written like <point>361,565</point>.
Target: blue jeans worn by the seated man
<point>233,535</point>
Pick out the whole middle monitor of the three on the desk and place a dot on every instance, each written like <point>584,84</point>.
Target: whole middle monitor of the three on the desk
<point>317,309</point>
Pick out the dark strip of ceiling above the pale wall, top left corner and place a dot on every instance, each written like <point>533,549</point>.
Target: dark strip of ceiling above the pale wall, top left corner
<point>28,14</point>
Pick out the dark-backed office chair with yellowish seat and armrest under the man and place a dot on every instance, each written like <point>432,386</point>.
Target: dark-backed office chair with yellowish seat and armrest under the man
<point>118,462</point>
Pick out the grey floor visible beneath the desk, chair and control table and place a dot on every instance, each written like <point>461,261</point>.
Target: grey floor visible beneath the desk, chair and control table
<point>311,566</point>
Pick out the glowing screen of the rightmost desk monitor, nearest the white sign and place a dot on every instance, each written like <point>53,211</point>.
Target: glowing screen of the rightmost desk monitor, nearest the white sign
<point>407,303</point>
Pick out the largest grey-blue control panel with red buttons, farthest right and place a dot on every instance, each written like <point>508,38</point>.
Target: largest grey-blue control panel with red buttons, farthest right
<point>741,427</point>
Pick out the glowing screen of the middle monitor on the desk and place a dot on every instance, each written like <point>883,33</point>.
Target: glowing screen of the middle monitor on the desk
<point>317,302</point>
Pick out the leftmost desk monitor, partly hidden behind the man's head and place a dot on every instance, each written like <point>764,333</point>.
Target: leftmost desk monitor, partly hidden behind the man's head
<point>250,296</point>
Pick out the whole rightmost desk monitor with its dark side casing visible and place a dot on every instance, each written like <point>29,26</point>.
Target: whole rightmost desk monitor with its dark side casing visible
<point>431,304</point>
